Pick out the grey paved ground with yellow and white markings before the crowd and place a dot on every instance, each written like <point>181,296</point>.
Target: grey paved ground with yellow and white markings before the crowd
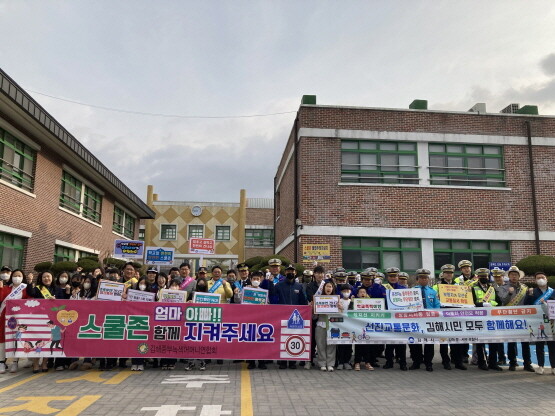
<point>230,389</point>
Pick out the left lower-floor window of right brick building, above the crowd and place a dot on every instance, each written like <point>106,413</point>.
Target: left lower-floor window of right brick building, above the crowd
<point>361,253</point>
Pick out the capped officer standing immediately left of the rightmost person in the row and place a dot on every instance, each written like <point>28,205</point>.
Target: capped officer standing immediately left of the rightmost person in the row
<point>516,295</point>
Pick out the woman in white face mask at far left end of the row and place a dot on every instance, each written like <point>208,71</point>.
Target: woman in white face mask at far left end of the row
<point>10,289</point>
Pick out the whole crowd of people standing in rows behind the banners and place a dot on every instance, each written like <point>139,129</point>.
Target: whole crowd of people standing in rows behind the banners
<point>291,288</point>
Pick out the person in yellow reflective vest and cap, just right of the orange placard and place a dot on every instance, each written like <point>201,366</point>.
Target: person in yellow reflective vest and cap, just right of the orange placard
<point>485,295</point>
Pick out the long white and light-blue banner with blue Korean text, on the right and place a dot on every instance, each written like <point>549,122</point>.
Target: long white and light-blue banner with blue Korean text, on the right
<point>436,326</point>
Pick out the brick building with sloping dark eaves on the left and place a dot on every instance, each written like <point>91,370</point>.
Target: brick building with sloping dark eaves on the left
<point>59,202</point>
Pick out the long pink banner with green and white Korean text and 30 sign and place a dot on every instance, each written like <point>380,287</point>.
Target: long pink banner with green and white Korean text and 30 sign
<point>77,328</point>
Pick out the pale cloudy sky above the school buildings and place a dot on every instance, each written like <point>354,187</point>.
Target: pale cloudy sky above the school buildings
<point>238,58</point>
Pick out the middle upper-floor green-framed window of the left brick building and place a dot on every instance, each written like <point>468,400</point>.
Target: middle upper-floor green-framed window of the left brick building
<point>80,198</point>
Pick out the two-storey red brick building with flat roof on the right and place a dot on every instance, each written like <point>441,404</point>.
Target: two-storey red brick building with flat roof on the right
<point>417,188</point>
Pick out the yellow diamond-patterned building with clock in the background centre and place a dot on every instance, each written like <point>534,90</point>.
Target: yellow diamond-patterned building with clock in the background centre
<point>241,230</point>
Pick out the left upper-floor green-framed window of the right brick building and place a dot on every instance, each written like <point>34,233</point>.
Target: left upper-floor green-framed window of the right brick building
<point>379,162</point>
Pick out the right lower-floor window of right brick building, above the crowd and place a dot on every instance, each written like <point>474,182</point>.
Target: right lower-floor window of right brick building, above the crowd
<point>480,253</point>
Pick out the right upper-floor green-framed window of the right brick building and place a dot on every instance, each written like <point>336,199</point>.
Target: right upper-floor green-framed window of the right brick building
<point>466,165</point>
